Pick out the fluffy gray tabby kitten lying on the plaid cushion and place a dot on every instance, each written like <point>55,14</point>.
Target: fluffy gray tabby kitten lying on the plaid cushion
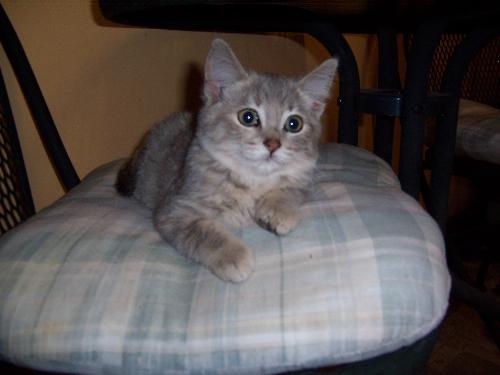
<point>250,156</point>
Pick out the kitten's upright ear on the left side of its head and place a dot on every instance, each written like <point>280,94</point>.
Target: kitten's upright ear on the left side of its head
<point>222,68</point>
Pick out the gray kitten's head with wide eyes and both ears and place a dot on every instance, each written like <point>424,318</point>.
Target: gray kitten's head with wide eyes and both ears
<point>261,124</point>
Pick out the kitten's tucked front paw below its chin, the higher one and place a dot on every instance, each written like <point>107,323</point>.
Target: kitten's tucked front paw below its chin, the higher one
<point>277,219</point>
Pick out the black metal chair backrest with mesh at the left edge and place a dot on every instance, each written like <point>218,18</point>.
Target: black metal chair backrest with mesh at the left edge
<point>16,203</point>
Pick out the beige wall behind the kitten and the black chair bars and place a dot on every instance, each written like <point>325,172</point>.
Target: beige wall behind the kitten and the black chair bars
<point>106,85</point>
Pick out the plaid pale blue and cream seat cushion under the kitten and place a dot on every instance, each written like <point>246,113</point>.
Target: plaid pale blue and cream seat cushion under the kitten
<point>88,286</point>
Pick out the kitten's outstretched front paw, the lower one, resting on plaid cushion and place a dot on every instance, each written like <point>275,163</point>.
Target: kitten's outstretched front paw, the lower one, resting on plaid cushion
<point>233,264</point>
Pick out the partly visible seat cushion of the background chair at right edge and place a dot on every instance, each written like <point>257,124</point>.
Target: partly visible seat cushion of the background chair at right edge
<point>478,132</point>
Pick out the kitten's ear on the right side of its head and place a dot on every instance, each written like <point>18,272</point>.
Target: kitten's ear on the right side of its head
<point>318,83</point>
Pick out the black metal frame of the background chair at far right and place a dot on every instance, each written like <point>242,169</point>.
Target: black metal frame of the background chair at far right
<point>443,159</point>
